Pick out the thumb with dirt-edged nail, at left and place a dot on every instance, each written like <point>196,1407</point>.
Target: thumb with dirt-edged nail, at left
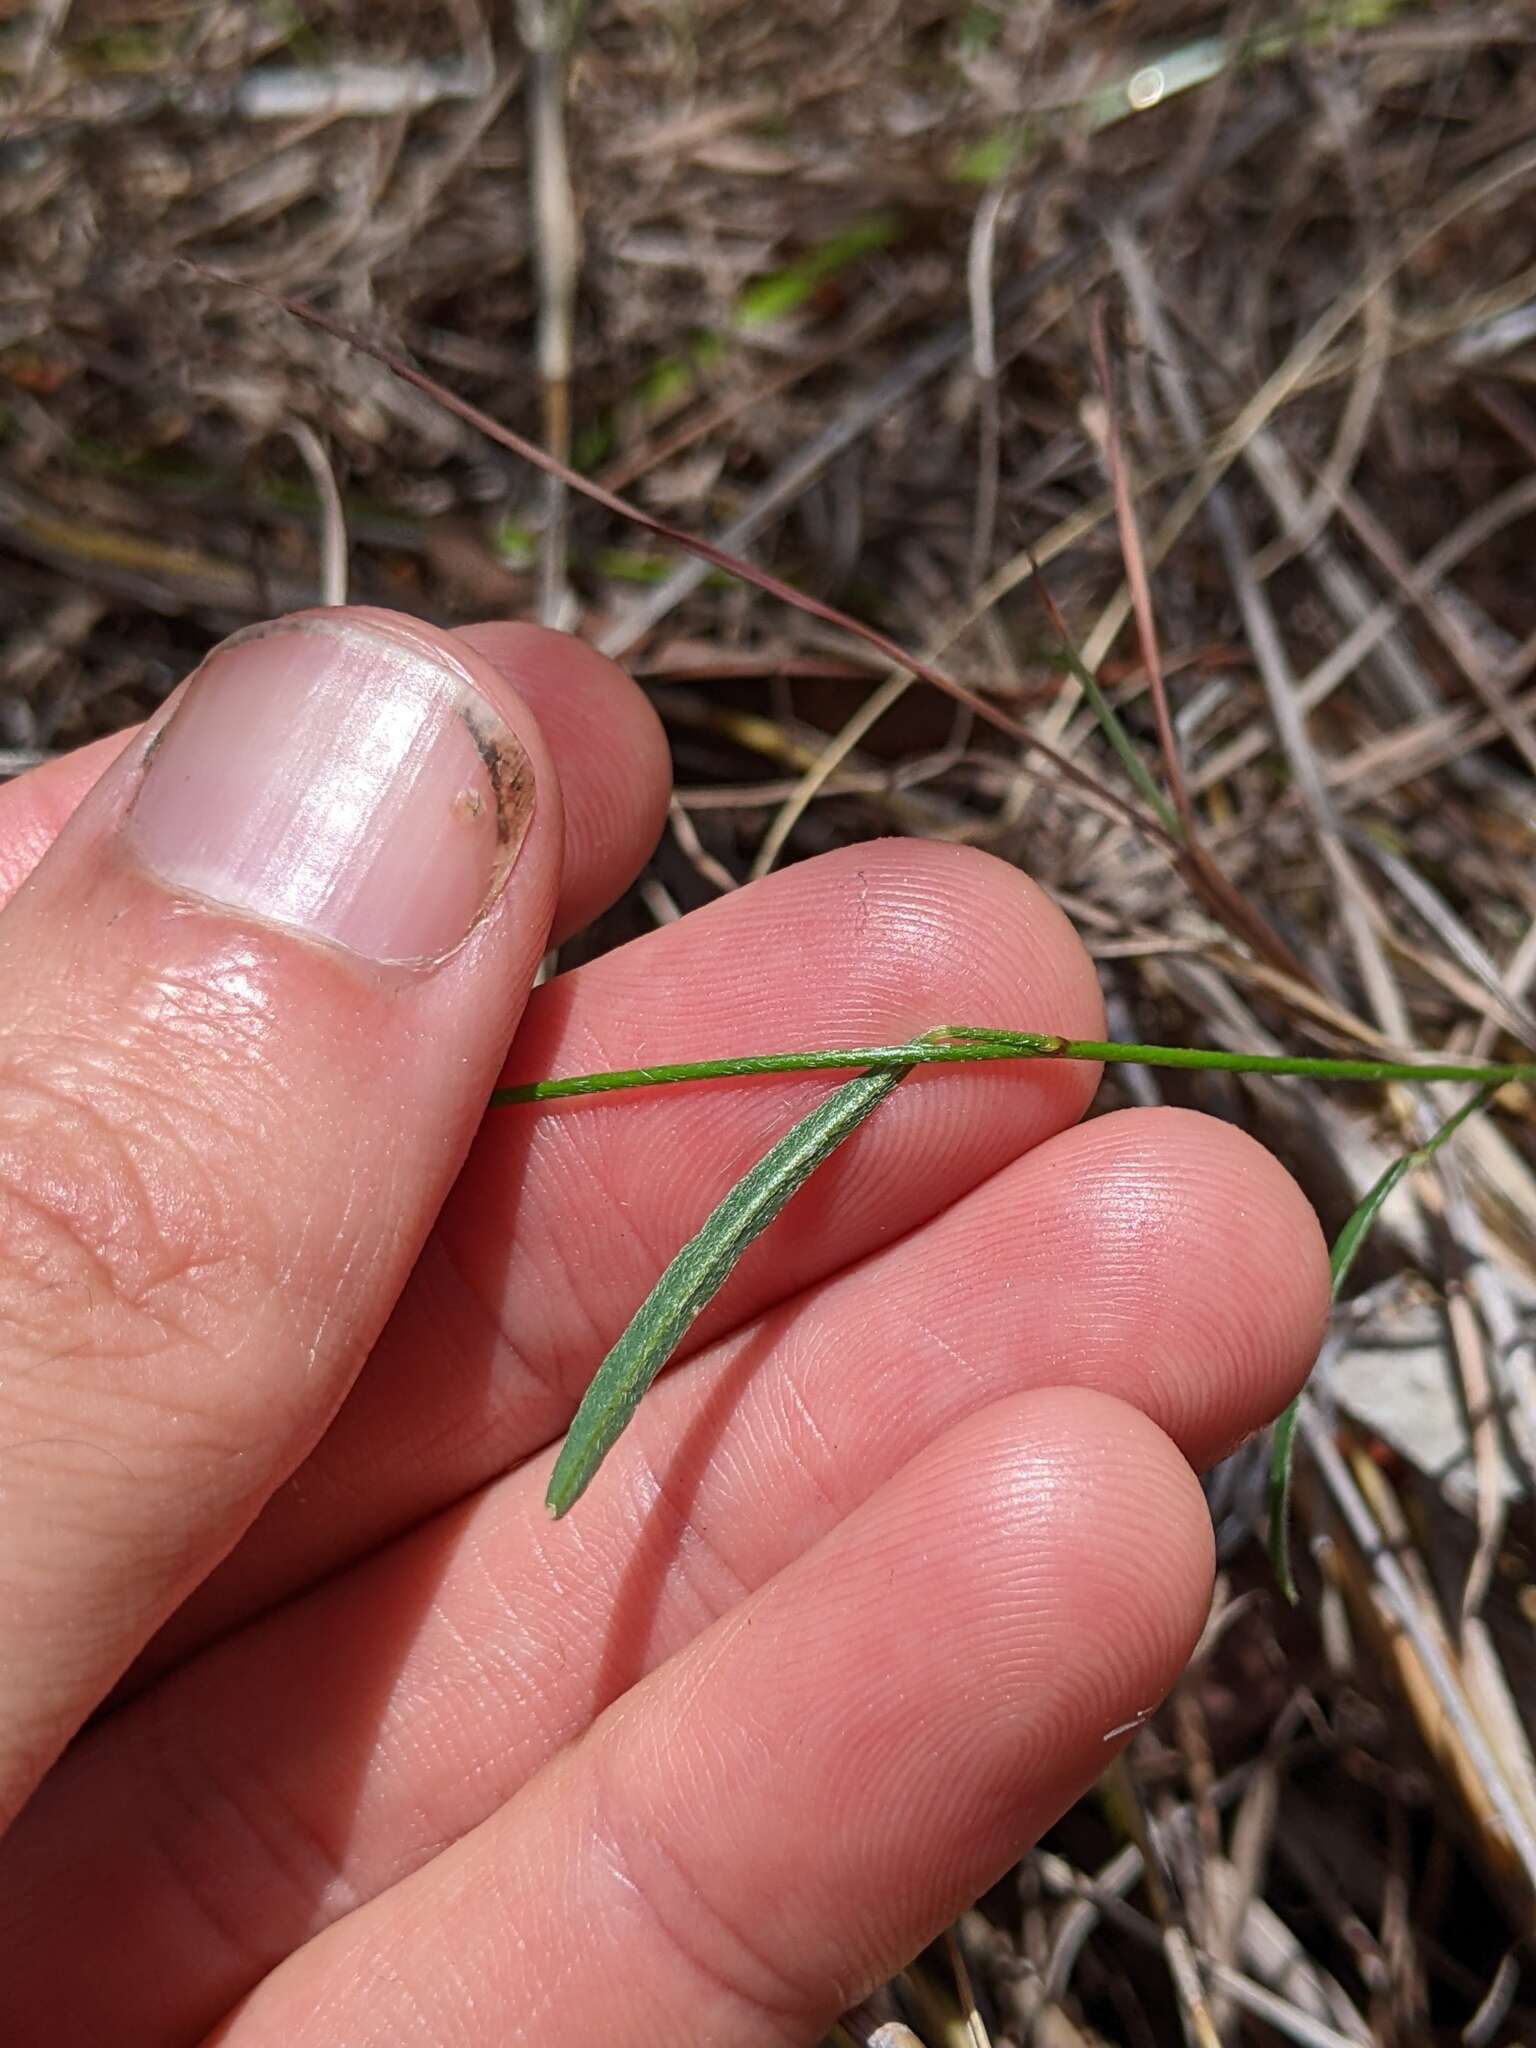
<point>251,1009</point>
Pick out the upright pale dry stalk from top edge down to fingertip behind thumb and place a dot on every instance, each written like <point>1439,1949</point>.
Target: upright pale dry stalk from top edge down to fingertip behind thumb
<point>550,30</point>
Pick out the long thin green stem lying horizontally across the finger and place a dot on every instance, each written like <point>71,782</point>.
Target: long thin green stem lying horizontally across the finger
<point>968,1046</point>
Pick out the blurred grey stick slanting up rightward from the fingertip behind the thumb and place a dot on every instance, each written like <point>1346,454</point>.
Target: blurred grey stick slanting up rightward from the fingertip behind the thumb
<point>806,464</point>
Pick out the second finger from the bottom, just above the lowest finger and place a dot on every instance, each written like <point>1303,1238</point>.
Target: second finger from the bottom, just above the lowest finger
<point>1154,1256</point>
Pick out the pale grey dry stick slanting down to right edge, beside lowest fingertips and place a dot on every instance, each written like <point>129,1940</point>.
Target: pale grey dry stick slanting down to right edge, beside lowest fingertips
<point>1404,1613</point>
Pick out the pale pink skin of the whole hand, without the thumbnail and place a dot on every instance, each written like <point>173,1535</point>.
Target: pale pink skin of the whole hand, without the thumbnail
<point>290,1334</point>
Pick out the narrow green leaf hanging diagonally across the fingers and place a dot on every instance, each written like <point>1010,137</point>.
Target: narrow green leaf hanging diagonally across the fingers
<point>697,1275</point>
